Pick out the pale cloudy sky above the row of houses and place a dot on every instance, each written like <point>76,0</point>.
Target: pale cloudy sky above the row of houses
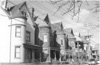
<point>86,22</point>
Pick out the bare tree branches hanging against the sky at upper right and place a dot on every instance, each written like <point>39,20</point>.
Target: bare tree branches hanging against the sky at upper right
<point>74,6</point>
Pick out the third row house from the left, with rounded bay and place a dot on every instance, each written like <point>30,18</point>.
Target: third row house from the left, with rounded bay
<point>59,40</point>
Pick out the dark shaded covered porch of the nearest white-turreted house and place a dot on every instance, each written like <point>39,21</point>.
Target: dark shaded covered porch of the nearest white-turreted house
<point>32,53</point>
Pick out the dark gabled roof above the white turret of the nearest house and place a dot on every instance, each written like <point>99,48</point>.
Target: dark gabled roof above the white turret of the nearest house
<point>16,11</point>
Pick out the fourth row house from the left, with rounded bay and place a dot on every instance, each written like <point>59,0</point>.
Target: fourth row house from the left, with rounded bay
<point>70,43</point>
